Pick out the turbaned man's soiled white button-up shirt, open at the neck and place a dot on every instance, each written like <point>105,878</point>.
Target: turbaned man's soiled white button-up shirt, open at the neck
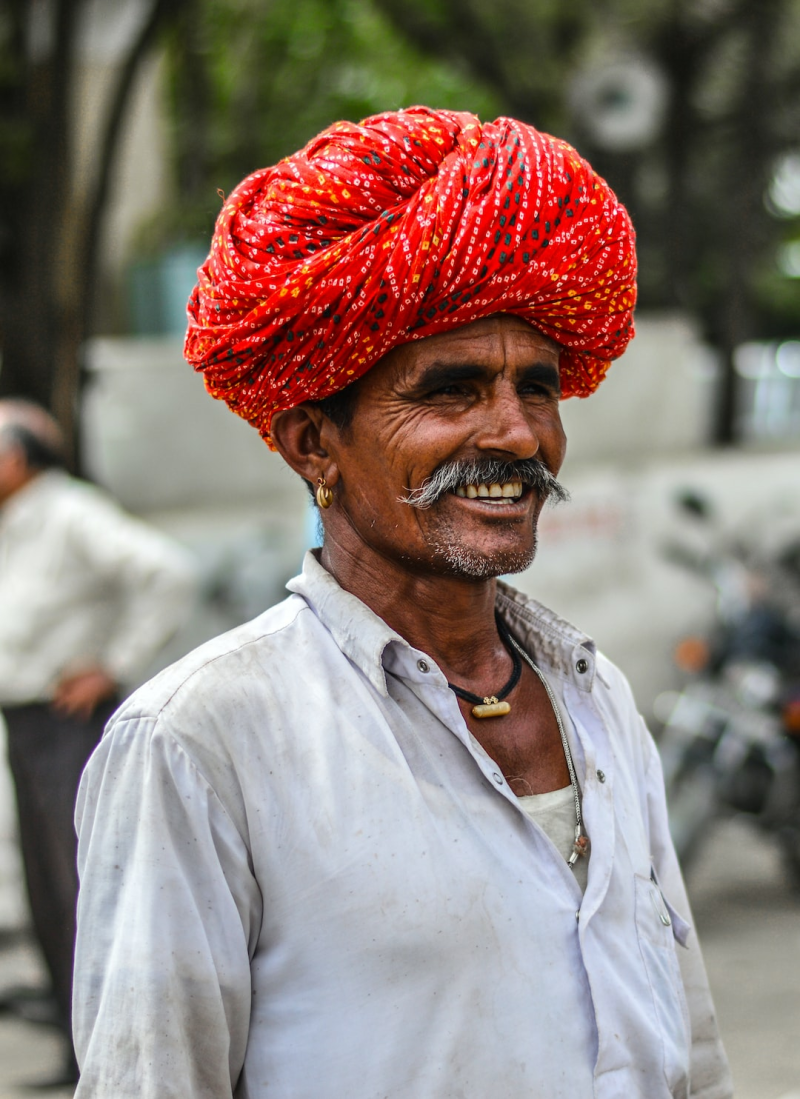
<point>303,879</point>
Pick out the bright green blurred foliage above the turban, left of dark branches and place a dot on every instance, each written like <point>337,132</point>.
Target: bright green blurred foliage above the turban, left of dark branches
<point>252,82</point>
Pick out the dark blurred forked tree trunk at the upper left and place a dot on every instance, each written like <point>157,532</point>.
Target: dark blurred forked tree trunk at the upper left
<point>47,298</point>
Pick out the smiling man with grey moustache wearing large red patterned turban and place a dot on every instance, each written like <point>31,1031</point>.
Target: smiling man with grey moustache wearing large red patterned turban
<point>405,835</point>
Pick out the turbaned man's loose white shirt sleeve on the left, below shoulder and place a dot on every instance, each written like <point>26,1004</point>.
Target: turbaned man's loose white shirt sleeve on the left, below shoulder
<point>169,916</point>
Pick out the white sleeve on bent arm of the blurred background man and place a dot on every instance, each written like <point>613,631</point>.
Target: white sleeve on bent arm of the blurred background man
<point>153,579</point>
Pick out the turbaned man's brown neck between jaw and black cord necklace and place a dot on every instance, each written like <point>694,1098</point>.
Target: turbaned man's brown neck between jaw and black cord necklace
<point>450,618</point>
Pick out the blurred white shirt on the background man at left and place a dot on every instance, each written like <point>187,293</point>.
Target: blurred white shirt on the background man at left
<point>82,583</point>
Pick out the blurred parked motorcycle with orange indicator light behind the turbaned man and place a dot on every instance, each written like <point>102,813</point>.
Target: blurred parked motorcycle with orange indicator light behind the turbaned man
<point>730,741</point>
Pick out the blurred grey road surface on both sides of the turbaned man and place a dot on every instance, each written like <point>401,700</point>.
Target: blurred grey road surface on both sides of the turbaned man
<point>747,915</point>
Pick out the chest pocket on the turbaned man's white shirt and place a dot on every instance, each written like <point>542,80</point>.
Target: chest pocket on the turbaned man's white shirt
<point>659,928</point>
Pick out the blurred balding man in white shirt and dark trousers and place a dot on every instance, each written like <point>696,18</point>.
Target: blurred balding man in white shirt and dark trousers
<point>87,597</point>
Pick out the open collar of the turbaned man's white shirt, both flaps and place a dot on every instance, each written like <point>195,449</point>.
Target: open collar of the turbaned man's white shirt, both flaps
<point>364,638</point>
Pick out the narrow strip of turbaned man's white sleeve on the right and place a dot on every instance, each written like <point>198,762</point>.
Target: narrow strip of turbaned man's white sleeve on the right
<point>710,1074</point>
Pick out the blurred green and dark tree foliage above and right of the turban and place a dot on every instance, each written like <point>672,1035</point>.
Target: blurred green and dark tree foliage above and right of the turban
<point>253,81</point>
